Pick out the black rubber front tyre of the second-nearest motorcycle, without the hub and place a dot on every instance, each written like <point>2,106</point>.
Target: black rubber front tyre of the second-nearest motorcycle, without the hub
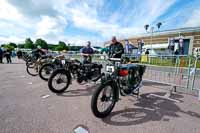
<point>51,80</point>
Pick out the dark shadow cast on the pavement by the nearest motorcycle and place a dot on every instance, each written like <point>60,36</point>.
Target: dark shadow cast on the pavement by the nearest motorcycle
<point>147,108</point>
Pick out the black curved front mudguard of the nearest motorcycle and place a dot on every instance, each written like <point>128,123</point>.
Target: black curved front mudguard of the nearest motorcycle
<point>114,87</point>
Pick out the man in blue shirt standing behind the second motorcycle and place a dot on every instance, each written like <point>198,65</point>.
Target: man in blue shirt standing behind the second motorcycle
<point>87,52</point>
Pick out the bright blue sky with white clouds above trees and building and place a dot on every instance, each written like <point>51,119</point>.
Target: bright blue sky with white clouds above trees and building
<point>77,21</point>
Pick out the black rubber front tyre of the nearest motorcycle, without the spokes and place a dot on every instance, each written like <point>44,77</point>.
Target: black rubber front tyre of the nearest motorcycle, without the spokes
<point>94,101</point>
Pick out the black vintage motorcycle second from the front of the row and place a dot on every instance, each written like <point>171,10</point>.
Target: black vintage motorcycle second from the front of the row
<point>73,69</point>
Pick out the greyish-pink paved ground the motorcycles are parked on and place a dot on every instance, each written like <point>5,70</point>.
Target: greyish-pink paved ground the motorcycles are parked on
<point>23,110</point>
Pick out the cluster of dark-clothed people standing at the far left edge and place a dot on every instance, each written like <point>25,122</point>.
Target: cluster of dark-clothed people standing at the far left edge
<point>7,54</point>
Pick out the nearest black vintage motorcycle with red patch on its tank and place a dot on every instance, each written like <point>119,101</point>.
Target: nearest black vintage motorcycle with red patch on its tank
<point>124,79</point>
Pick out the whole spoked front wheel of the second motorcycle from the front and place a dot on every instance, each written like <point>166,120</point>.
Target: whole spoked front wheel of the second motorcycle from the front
<point>59,81</point>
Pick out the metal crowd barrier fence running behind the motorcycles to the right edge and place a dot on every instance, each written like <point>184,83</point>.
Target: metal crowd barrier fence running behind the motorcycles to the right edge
<point>176,71</point>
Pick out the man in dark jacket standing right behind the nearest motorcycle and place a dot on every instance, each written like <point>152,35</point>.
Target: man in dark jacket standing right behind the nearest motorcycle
<point>115,49</point>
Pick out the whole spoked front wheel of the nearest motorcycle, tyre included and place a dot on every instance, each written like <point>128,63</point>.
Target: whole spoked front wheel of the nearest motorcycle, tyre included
<point>103,101</point>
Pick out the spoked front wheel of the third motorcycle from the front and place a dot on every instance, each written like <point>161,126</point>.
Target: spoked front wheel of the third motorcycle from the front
<point>46,71</point>
